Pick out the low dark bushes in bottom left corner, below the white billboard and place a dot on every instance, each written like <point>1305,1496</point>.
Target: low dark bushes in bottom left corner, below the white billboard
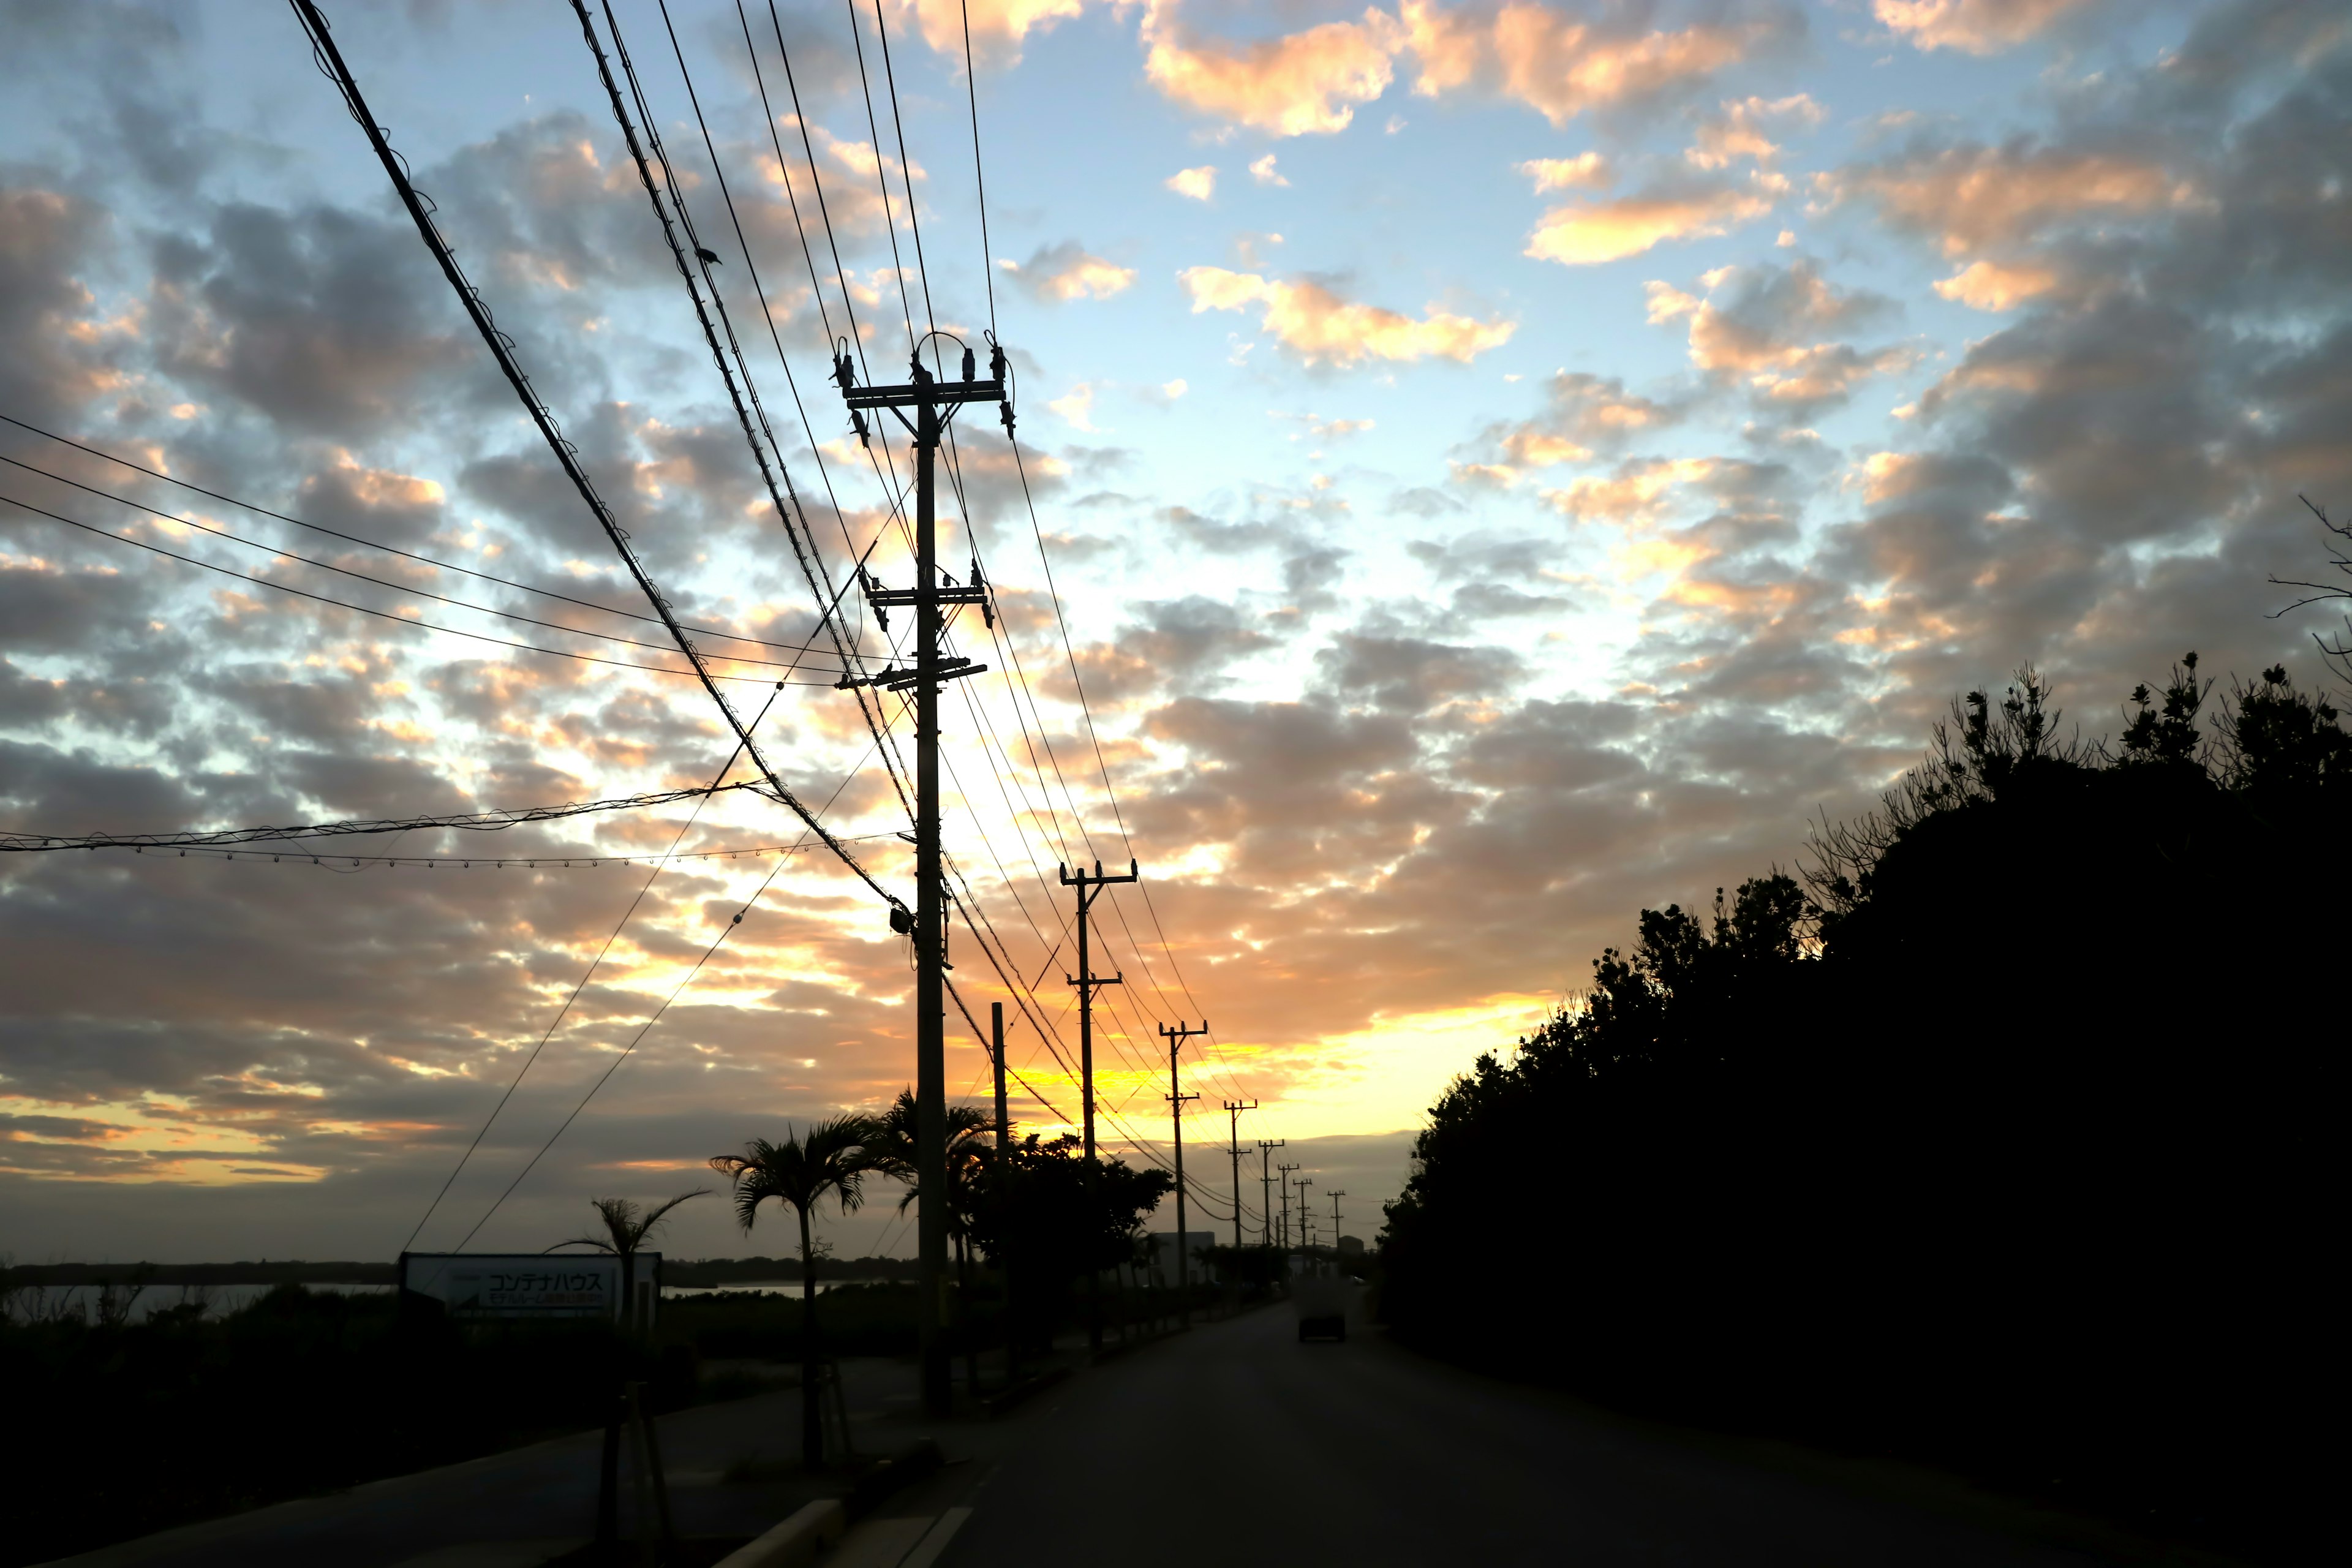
<point>293,1395</point>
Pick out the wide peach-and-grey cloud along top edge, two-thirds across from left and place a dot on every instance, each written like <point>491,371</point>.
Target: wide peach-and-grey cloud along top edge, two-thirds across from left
<point>1565,65</point>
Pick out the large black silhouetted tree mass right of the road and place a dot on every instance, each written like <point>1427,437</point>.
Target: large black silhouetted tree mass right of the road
<point>1996,1139</point>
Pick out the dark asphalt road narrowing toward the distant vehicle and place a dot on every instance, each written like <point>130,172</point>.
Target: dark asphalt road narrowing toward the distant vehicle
<point>1241,1445</point>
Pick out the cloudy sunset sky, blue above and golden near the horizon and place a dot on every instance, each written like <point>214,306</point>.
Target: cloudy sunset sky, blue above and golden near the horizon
<point>1483,471</point>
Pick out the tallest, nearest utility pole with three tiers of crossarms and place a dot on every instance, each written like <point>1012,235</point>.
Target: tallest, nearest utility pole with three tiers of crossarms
<point>935,403</point>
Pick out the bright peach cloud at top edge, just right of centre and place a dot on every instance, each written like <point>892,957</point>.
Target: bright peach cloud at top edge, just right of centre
<point>1292,86</point>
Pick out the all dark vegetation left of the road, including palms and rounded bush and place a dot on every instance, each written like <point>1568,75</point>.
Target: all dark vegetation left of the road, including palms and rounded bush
<point>307,1393</point>
